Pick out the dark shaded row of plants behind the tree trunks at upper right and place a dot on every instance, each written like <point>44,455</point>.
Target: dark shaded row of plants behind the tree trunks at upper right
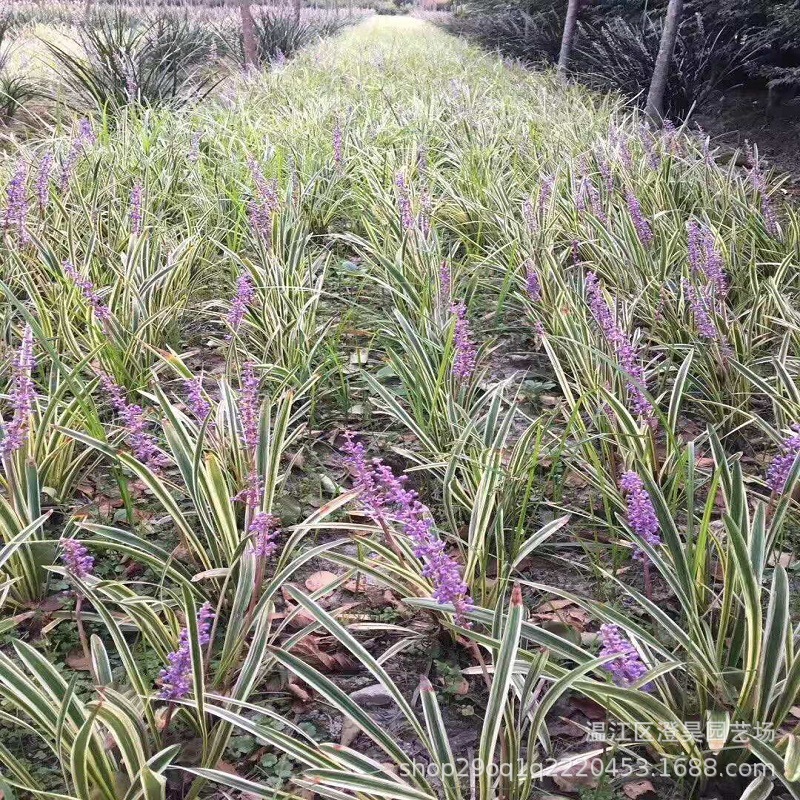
<point>718,45</point>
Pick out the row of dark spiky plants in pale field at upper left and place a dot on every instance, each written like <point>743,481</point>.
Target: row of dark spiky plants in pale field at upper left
<point>116,57</point>
